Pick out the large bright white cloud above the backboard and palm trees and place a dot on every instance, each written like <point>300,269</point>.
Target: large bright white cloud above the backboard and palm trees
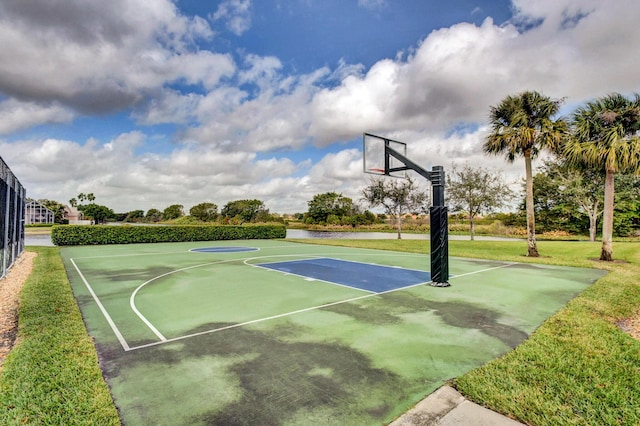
<point>579,51</point>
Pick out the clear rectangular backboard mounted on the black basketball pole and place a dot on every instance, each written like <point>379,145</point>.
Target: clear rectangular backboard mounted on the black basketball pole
<point>377,161</point>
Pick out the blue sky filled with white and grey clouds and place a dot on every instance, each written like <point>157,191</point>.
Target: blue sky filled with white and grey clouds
<point>148,103</point>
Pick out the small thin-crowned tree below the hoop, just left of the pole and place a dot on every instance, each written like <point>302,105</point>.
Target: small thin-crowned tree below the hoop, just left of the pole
<point>397,196</point>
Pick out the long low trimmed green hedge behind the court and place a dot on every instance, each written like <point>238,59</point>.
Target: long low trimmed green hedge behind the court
<point>77,235</point>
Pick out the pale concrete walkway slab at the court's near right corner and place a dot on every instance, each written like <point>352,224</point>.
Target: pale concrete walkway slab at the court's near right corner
<point>446,407</point>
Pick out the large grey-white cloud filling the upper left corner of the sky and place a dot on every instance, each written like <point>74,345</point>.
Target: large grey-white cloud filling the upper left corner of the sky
<point>98,57</point>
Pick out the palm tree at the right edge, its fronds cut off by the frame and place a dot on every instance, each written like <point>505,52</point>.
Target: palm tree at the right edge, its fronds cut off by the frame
<point>605,137</point>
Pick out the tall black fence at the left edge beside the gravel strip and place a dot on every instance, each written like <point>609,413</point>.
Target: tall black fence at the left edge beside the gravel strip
<point>12,205</point>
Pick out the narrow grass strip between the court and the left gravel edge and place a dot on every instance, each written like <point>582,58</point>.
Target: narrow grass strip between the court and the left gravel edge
<point>52,375</point>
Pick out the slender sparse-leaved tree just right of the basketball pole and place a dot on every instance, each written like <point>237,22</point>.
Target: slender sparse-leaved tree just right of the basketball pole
<point>476,191</point>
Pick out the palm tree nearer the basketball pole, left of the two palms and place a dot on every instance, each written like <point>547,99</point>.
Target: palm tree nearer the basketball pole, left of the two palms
<point>522,126</point>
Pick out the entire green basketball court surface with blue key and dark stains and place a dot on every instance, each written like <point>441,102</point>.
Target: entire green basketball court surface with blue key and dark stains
<point>262,337</point>
